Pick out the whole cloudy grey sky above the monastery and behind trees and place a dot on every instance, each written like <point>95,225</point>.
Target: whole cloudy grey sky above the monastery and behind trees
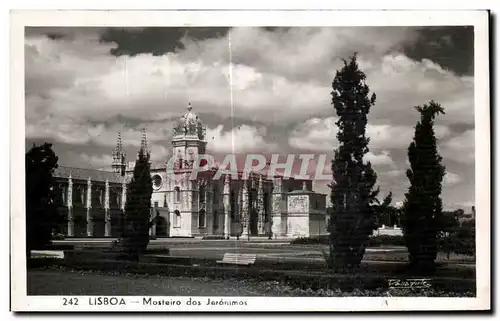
<point>84,84</point>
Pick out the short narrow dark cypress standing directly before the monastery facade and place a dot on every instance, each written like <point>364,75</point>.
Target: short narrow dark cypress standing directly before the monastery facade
<point>138,207</point>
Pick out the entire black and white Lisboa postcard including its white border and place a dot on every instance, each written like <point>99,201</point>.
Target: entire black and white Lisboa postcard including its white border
<point>176,161</point>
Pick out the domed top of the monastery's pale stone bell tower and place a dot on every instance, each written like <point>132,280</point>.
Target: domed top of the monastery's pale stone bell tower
<point>189,139</point>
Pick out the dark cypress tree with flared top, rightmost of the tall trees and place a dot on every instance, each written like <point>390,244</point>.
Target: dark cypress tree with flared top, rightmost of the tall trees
<point>422,208</point>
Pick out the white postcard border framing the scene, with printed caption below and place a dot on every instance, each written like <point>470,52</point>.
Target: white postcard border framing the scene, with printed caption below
<point>479,19</point>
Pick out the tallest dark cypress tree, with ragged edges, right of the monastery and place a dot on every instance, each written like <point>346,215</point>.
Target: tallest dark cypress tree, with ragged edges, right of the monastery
<point>352,193</point>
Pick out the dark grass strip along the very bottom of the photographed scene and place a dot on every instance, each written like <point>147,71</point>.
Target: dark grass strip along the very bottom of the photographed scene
<point>55,281</point>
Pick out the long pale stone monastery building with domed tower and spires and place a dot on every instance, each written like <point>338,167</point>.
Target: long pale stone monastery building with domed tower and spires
<point>207,205</point>
